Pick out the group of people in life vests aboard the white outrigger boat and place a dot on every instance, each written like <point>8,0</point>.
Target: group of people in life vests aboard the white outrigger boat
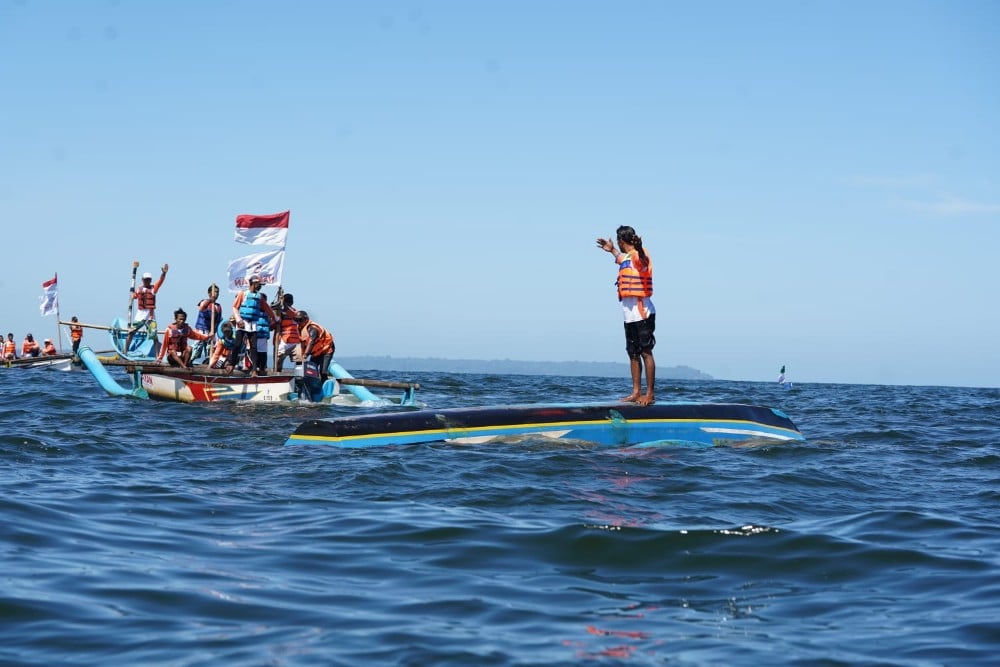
<point>240,341</point>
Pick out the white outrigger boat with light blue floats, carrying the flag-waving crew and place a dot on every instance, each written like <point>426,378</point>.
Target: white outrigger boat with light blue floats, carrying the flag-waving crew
<point>159,381</point>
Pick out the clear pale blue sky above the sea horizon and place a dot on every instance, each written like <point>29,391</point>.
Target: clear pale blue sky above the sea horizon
<point>818,183</point>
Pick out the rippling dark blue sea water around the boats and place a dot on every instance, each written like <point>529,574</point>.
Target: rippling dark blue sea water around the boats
<point>145,533</point>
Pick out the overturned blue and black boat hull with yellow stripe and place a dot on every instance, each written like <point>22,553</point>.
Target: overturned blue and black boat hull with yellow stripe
<point>618,424</point>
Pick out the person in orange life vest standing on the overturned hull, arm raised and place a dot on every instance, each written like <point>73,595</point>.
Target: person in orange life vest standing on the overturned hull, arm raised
<point>635,291</point>
